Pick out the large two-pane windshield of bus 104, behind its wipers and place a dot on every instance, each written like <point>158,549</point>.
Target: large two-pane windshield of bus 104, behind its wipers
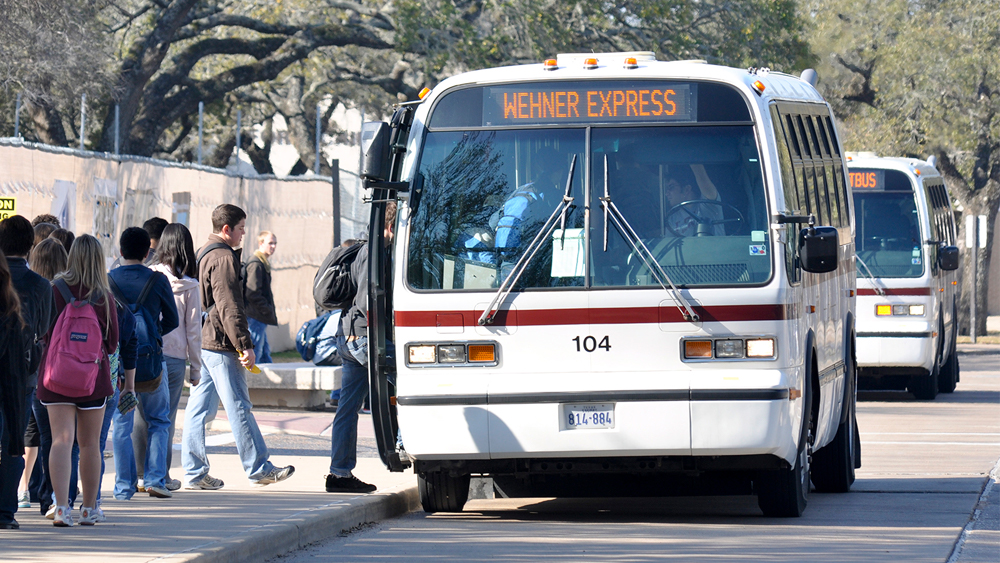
<point>692,195</point>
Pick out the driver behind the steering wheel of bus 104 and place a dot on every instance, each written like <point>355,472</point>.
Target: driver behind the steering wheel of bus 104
<point>690,183</point>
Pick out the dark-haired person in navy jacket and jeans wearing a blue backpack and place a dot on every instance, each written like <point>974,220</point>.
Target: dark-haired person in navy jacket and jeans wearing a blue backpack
<point>153,394</point>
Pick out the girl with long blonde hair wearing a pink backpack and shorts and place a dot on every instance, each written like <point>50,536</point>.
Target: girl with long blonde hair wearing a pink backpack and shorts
<point>75,373</point>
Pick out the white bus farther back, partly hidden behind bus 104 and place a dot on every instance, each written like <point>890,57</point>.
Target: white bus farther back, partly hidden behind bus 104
<point>907,262</point>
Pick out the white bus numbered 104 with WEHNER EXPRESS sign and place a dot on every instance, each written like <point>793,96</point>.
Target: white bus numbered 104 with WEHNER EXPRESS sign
<point>611,276</point>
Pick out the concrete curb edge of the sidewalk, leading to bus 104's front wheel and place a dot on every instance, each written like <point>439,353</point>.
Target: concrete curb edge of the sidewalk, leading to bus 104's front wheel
<point>301,529</point>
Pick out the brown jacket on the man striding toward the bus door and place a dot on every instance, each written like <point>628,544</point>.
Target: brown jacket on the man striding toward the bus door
<point>225,328</point>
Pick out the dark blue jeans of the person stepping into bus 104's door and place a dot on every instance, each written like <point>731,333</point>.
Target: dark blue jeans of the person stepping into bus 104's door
<point>353,390</point>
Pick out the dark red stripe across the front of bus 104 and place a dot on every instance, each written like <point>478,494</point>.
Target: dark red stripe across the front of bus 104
<point>618,315</point>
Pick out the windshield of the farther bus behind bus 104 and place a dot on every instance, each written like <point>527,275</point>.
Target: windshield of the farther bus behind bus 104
<point>888,234</point>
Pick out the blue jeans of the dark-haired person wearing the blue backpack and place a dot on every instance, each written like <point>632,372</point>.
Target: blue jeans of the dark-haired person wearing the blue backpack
<point>155,407</point>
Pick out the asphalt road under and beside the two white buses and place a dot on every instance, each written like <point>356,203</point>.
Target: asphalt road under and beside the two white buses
<point>917,499</point>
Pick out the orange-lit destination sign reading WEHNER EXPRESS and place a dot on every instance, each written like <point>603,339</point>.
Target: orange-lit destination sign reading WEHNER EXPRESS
<point>576,102</point>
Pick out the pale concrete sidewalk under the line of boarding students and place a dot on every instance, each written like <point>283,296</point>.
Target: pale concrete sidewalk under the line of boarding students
<point>239,523</point>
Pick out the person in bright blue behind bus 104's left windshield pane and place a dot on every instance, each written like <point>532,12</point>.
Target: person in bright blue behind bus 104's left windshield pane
<point>528,206</point>
